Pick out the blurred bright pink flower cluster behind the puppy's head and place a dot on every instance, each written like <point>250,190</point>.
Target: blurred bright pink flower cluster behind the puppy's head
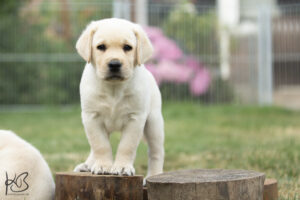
<point>169,64</point>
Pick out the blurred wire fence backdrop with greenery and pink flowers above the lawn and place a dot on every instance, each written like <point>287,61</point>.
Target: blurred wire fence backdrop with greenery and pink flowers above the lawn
<point>206,51</point>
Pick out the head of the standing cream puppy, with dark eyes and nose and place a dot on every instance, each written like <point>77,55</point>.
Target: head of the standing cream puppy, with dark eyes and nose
<point>114,47</point>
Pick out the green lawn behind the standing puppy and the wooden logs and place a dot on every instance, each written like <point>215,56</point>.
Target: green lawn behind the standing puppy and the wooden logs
<point>263,139</point>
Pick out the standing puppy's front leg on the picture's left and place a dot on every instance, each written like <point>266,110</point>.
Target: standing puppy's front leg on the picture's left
<point>100,159</point>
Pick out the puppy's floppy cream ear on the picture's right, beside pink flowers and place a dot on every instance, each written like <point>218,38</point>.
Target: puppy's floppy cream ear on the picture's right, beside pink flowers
<point>144,47</point>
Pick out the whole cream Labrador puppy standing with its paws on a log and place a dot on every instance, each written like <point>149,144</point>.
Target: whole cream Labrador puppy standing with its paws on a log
<point>119,94</point>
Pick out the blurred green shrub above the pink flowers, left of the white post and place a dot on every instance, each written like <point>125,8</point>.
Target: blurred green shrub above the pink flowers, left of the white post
<point>195,32</point>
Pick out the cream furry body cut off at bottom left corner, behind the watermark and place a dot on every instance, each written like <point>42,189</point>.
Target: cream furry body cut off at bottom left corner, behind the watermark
<point>21,162</point>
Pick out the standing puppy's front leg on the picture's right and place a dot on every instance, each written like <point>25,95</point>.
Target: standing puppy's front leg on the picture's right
<point>131,136</point>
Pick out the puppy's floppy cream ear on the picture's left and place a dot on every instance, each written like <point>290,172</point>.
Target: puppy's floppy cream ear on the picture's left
<point>84,43</point>
